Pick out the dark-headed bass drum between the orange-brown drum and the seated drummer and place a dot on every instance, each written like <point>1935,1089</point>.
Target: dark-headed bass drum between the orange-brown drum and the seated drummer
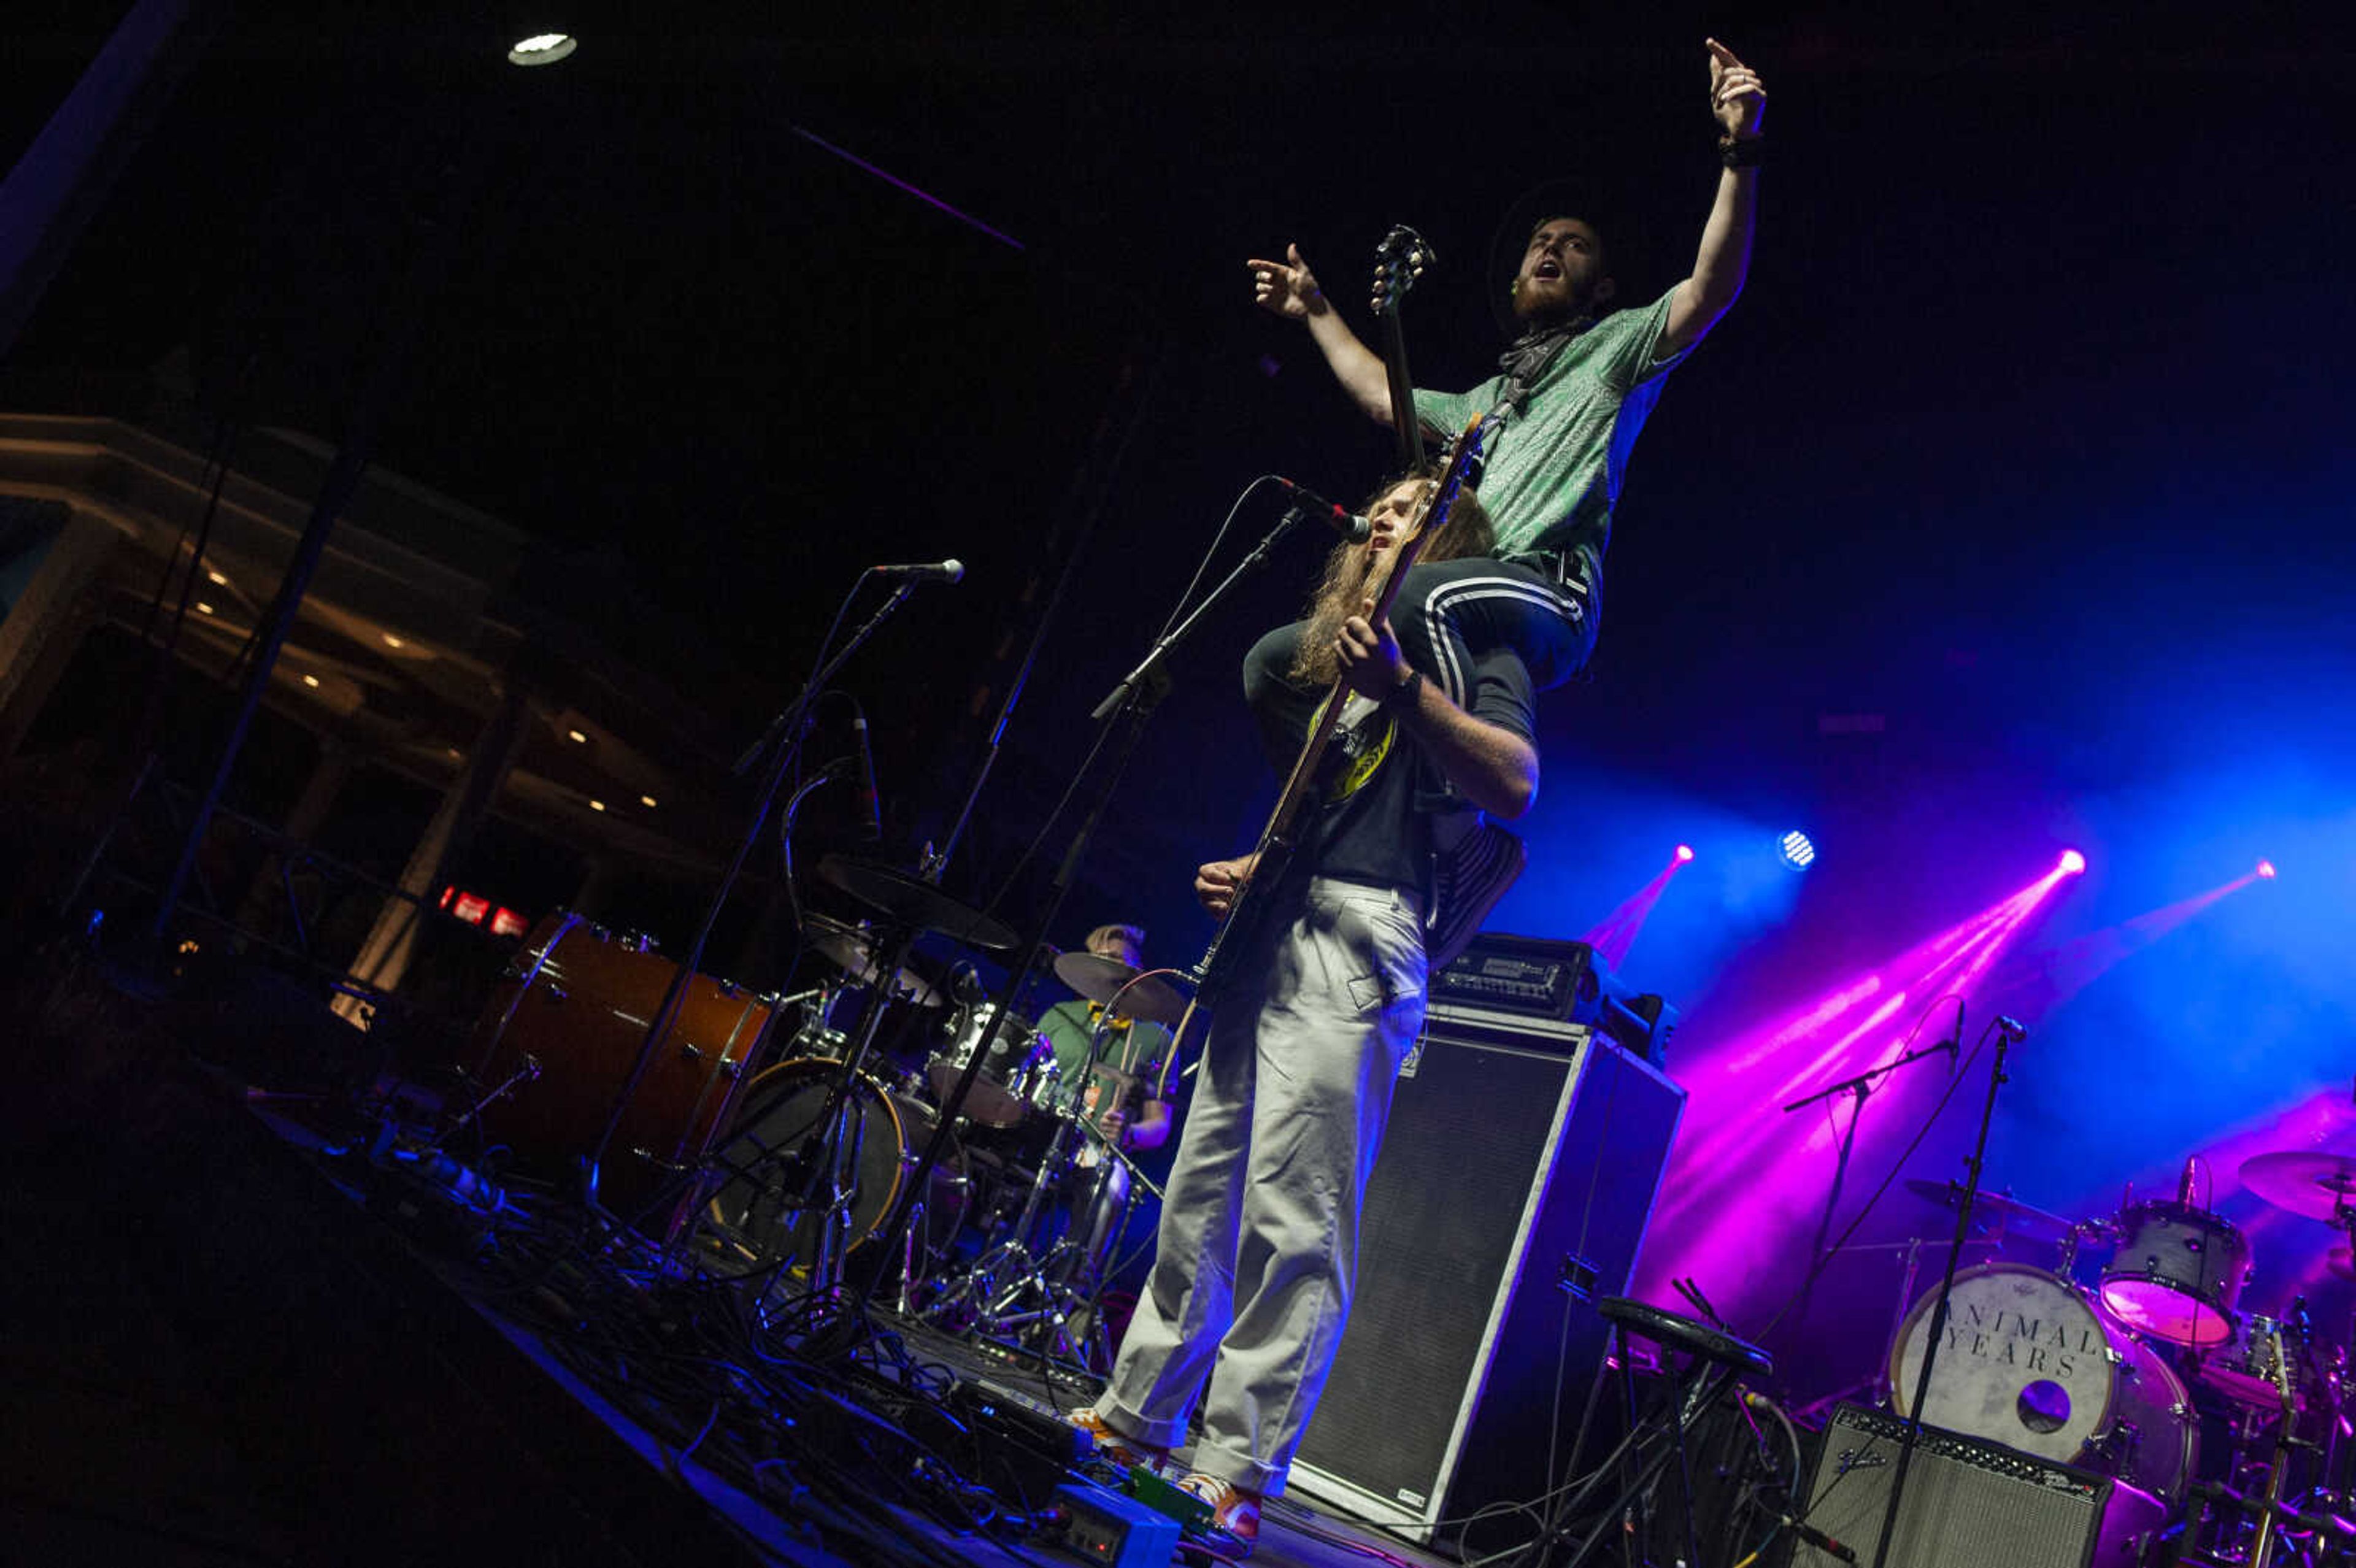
<point>776,1155</point>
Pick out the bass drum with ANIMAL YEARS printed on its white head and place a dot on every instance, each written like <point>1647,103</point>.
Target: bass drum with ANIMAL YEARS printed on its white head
<point>2037,1367</point>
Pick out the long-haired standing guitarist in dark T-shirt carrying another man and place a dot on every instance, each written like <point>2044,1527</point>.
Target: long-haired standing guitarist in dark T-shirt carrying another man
<point>1323,999</point>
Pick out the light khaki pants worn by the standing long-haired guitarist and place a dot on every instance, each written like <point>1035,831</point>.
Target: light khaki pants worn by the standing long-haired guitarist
<point>1259,1233</point>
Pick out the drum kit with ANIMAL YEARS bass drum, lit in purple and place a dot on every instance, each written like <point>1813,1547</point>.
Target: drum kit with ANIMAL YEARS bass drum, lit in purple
<point>2131,1353</point>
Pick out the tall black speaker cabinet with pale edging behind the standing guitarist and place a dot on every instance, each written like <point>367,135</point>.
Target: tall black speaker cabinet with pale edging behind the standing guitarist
<point>1521,1155</point>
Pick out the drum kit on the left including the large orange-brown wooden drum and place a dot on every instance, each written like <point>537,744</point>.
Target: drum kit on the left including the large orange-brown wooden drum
<point>781,1134</point>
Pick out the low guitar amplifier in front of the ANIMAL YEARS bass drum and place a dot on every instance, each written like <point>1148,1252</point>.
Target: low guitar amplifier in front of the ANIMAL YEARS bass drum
<point>1968,1503</point>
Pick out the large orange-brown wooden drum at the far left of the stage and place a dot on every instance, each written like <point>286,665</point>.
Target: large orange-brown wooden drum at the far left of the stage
<point>564,1030</point>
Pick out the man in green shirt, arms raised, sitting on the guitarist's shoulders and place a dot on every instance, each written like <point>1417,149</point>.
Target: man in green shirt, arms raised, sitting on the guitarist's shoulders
<point>1570,394</point>
